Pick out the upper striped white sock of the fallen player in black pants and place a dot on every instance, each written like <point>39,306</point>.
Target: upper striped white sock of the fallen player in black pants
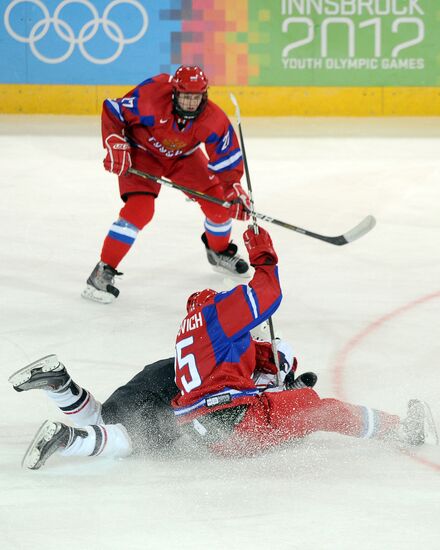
<point>78,404</point>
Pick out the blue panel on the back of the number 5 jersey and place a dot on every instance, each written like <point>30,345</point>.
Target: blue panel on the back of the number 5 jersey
<point>221,344</point>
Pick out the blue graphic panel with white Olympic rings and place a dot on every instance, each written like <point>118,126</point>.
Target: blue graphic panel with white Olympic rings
<point>85,41</point>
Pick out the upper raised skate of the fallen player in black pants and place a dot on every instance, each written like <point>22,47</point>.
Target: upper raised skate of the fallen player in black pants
<point>46,373</point>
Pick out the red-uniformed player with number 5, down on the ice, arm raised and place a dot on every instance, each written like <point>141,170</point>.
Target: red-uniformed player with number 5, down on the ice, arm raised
<point>219,402</point>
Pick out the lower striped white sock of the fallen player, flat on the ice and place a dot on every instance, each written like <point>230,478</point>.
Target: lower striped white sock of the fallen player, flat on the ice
<point>110,440</point>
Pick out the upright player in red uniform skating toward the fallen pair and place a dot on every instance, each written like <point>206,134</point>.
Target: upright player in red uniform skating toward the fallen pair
<point>158,128</point>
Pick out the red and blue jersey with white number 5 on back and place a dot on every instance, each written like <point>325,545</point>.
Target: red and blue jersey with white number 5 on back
<point>215,353</point>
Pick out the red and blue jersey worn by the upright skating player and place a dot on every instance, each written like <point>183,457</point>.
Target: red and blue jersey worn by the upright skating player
<point>145,118</point>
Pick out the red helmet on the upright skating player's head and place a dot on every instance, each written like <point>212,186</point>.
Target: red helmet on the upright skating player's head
<point>189,79</point>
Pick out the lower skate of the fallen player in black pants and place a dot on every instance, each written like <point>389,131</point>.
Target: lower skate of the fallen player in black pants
<point>51,437</point>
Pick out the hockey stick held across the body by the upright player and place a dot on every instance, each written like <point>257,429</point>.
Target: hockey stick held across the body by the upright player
<point>353,234</point>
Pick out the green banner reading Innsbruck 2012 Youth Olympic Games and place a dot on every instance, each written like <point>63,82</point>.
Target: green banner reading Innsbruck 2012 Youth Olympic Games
<point>347,42</point>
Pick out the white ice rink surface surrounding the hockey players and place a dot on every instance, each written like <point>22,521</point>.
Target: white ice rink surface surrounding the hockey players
<point>364,317</point>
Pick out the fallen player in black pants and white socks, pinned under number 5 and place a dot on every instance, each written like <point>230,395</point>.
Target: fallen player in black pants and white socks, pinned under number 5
<point>137,418</point>
